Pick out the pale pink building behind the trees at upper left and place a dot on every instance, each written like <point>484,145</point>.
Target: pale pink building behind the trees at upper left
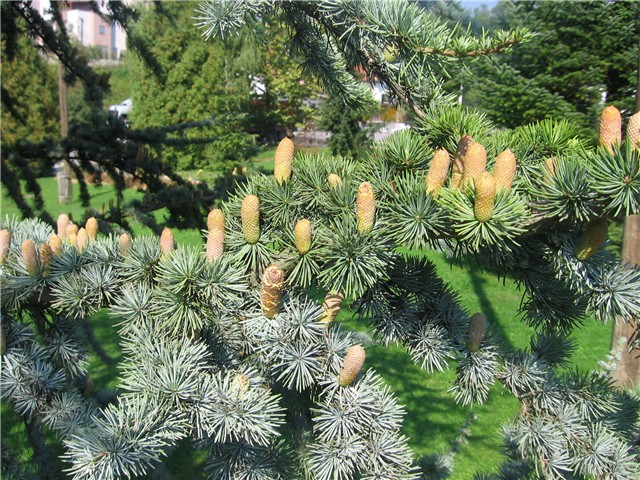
<point>88,28</point>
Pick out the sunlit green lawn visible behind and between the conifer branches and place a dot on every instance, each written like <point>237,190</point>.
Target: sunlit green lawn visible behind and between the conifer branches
<point>433,421</point>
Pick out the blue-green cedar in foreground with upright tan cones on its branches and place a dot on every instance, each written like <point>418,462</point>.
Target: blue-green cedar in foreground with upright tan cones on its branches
<point>223,345</point>
